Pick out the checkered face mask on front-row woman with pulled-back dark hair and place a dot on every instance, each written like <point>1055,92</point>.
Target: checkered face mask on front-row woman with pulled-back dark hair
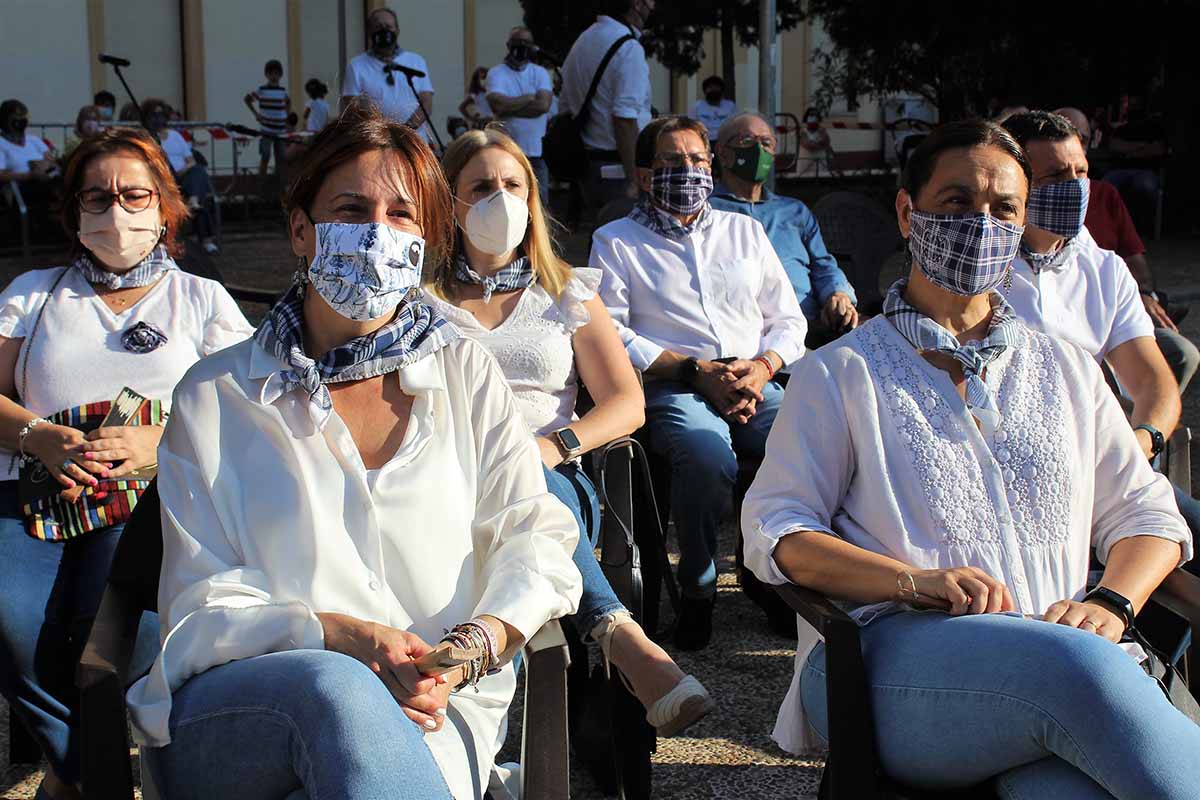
<point>964,254</point>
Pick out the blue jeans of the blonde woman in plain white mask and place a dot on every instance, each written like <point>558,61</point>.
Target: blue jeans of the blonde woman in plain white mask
<point>571,484</point>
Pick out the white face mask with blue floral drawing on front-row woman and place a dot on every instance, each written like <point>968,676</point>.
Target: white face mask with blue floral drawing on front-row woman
<point>364,272</point>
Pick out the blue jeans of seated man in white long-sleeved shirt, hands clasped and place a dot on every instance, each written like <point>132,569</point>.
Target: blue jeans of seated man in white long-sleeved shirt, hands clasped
<point>704,452</point>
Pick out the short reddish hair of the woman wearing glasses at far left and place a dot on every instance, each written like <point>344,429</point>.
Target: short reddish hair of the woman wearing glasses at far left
<point>130,142</point>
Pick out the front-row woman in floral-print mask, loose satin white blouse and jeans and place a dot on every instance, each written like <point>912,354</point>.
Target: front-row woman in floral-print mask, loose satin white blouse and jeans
<point>338,494</point>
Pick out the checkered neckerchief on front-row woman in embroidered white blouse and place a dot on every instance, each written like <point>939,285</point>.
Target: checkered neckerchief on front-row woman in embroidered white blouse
<point>925,334</point>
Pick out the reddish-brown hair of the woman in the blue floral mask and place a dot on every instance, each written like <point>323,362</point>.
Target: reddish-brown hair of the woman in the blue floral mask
<point>362,129</point>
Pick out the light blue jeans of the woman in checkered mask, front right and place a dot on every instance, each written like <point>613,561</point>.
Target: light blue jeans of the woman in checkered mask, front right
<point>1049,711</point>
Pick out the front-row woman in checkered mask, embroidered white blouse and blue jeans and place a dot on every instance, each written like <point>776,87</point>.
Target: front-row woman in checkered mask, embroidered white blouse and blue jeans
<point>946,472</point>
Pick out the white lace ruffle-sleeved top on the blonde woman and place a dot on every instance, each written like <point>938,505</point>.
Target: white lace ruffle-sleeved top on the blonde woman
<point>533,347</point>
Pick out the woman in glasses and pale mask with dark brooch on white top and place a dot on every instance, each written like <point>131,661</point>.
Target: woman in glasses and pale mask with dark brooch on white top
<point>121,315</point>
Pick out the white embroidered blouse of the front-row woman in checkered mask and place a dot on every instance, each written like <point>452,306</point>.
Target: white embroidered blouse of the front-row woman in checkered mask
<point>875,446</point>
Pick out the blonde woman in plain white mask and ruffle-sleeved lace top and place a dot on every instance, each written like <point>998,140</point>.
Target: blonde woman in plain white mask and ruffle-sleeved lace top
<point>505,286</point>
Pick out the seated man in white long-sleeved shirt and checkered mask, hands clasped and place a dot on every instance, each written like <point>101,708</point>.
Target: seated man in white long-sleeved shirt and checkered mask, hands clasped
<point>707,314</point>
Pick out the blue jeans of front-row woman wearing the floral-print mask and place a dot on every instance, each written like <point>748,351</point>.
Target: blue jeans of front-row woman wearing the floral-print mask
<point>296,725</point>
